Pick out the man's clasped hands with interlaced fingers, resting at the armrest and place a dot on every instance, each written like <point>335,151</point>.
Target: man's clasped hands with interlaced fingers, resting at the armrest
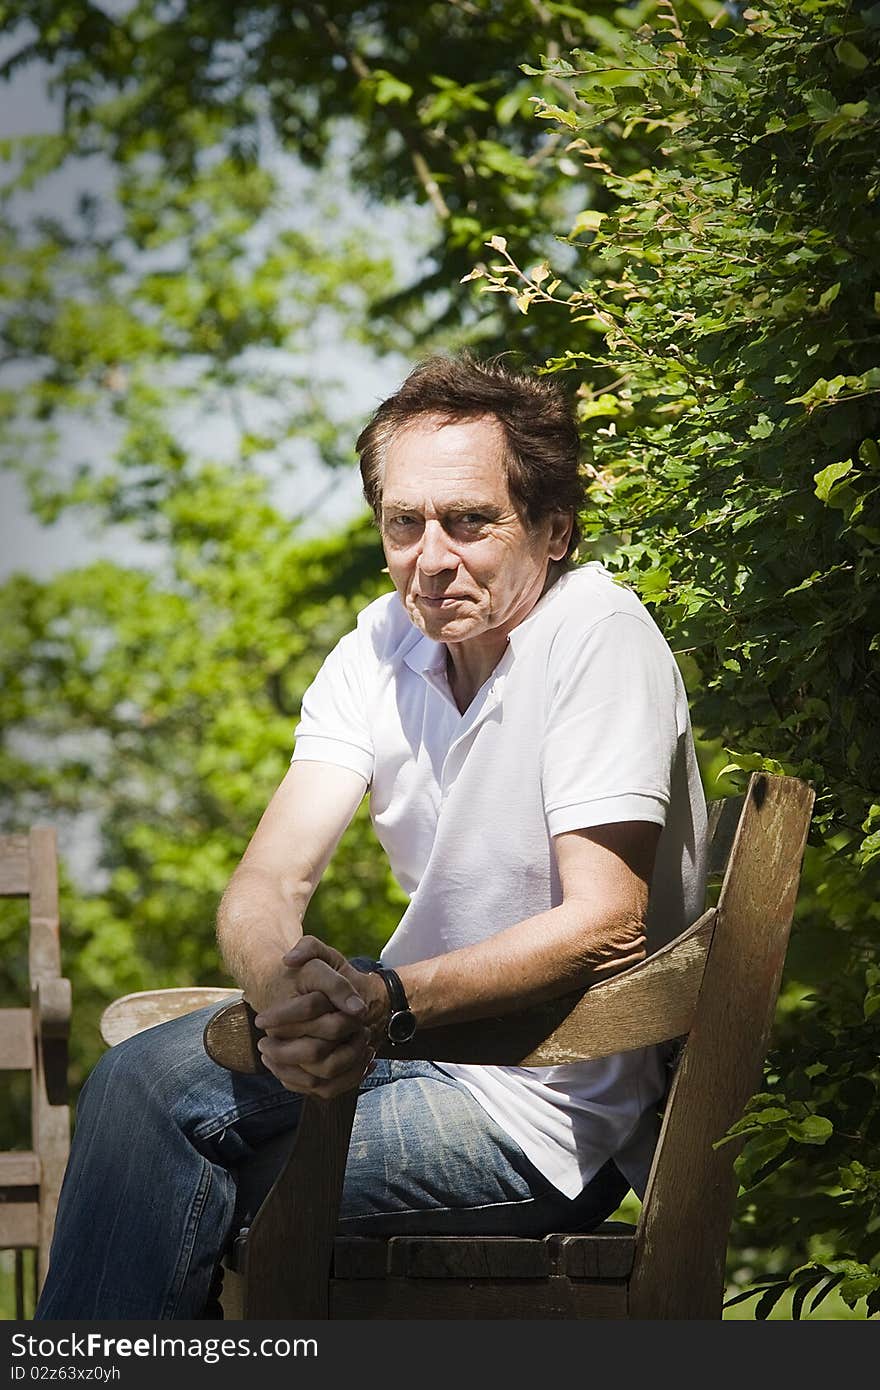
<point>322,1025</point>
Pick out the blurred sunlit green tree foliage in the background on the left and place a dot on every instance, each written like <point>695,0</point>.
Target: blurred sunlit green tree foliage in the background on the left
<point>190,294</point>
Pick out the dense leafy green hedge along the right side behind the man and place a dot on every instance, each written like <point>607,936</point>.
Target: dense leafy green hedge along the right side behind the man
<point>725,336</point>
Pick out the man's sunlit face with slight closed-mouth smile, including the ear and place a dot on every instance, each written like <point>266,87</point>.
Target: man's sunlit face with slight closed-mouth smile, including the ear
<point>466,568</point>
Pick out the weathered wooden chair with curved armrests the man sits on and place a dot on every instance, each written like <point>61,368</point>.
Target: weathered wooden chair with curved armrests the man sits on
<point>714,989</point>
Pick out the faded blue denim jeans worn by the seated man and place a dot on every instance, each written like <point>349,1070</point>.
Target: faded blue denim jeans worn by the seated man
<point>169,1161</point>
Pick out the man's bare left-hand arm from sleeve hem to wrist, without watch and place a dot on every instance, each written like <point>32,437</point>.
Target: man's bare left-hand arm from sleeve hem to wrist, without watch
<point>261,913</point>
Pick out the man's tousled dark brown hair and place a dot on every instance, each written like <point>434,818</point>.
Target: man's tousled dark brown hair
<point>541,441</point>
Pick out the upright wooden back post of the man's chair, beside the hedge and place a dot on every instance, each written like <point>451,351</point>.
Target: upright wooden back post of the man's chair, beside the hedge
<point>693,1186</point>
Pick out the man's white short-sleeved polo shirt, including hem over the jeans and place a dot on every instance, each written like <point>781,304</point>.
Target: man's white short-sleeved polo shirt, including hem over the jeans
<point>585,722</point>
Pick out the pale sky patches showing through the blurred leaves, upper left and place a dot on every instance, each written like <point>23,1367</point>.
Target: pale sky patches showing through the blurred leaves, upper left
<point>27,546</point>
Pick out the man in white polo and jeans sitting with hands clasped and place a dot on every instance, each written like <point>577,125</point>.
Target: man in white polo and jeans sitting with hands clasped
<point>523,732</point>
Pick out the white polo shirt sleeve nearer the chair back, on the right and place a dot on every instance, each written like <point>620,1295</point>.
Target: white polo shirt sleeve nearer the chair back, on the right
<point>612,728</point>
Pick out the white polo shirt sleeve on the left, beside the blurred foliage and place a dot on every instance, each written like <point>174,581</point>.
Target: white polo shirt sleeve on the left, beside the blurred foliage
<point>334,725</point>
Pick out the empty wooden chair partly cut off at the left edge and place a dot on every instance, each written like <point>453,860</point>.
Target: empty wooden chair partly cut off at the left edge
<point>34,1040</point>
